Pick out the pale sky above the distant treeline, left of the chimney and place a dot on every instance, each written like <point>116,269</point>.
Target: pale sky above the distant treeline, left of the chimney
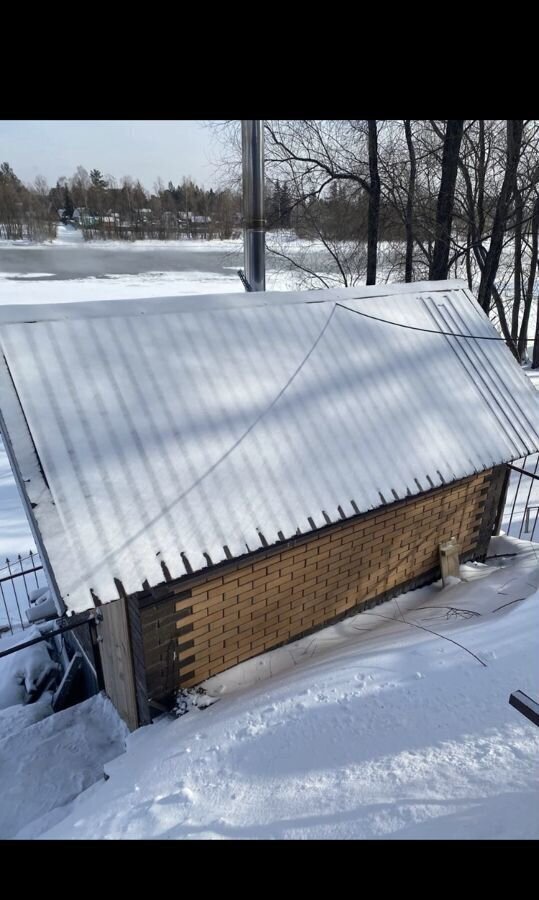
<point>143,149</point>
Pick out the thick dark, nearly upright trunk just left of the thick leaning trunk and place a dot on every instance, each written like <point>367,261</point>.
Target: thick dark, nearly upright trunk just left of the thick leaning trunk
<point>446,197</point>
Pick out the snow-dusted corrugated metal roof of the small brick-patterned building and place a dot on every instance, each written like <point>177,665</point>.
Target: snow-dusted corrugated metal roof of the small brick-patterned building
<point>186,433</point>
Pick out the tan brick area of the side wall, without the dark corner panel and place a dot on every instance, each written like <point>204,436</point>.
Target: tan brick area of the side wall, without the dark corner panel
<point>255,607</point>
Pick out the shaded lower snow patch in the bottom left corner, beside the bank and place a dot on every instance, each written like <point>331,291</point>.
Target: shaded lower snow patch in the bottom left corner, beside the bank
<point>47,760</point>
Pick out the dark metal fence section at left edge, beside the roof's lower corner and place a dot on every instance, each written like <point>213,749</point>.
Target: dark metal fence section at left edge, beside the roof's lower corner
<point>19,577</point>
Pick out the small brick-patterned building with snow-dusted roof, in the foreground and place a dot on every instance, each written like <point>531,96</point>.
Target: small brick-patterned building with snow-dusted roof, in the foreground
<point>217,476</point>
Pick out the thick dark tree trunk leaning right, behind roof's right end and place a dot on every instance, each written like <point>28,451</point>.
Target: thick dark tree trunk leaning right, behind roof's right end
<point>514,141</point>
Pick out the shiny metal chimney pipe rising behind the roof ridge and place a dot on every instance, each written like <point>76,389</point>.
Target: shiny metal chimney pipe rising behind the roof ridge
<point>254,224</point>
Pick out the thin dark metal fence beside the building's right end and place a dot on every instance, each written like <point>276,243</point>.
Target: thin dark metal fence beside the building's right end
<point>521,515</point>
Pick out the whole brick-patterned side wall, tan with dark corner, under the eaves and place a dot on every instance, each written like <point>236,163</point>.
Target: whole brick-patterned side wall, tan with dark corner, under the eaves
<point>203,625</point>
